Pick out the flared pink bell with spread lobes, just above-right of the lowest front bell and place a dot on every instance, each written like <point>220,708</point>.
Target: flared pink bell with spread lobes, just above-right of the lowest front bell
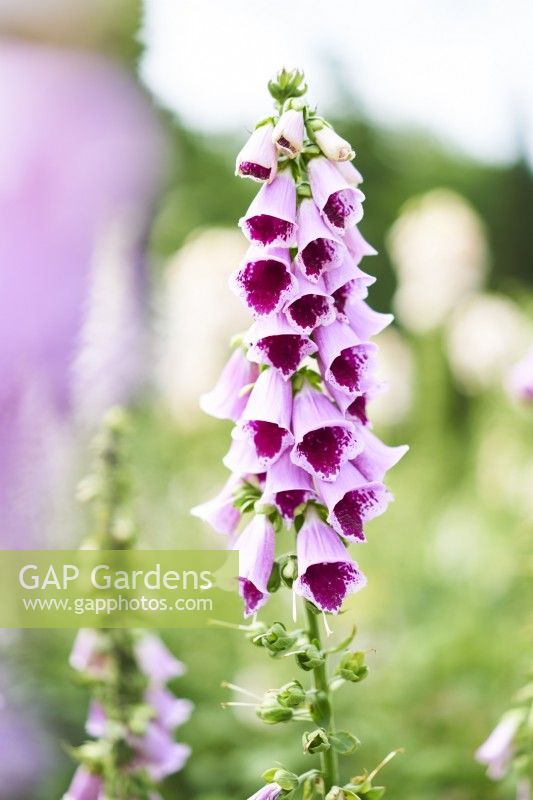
<point>352,500</point>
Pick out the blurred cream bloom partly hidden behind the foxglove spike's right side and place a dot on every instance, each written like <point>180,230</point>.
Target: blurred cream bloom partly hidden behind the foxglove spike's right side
<point>397,368</point>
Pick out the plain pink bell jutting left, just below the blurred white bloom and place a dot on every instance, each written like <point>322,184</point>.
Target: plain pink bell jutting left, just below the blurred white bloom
<point>227,399</point>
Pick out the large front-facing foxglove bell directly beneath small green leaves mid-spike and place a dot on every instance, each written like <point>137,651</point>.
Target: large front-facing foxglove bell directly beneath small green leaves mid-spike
<point>324,439</point>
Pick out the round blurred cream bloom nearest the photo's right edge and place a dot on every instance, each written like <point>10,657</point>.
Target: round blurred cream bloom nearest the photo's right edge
<point>486,334</point>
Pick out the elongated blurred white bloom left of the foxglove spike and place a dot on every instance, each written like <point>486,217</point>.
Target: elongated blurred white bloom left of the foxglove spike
<point>198,318</point>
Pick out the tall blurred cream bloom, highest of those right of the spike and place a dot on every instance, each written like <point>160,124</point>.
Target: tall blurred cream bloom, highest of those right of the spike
<point>438,248</point>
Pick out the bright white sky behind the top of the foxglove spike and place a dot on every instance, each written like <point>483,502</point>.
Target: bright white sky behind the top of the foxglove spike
<point>462,69</point>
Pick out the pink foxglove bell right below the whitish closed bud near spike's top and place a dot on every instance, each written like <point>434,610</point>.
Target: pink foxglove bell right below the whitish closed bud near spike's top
<point>340,204</point>
